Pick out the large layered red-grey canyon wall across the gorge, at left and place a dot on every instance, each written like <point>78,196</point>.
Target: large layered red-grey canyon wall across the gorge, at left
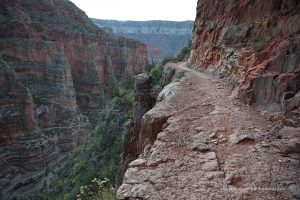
<point>56,69</point>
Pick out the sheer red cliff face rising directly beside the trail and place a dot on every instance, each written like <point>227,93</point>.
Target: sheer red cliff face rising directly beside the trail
<point>256,45</point>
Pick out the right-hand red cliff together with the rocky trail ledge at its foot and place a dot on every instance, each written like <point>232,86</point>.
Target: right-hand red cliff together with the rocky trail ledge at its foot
<point>204,140</point>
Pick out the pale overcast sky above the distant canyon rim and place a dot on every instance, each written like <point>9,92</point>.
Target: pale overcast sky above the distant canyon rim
<point>173,10</point>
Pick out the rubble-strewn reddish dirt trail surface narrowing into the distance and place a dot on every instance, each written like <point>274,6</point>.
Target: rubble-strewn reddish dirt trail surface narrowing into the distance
<point>214,147</point>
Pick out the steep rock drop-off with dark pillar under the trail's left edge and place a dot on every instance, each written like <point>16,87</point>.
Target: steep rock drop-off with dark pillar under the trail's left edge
<point>141,132</point>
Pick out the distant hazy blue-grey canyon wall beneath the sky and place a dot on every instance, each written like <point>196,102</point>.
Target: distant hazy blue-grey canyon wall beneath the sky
<point>163,38</point>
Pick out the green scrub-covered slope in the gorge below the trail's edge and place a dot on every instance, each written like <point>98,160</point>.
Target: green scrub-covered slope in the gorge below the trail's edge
<point>100,156</point>
